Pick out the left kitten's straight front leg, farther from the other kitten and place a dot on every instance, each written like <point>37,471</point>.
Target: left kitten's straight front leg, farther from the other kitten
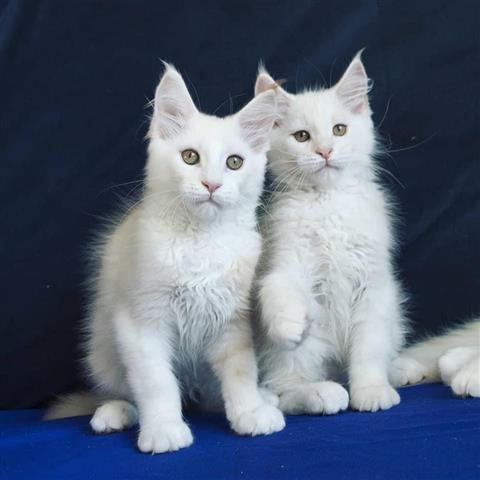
<point>146,352</point>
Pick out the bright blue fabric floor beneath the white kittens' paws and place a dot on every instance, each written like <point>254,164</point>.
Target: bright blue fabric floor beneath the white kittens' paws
<point>430,435</point>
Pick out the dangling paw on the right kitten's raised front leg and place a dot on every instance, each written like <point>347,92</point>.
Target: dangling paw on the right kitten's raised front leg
<point>288,327</point>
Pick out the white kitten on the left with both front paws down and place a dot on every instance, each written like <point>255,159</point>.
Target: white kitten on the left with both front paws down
<point>170,317</point>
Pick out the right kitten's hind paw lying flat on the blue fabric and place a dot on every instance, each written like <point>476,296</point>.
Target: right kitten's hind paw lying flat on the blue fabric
<point>315,398</point>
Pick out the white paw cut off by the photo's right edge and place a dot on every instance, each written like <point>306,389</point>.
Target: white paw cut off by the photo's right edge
<point>460,368</point>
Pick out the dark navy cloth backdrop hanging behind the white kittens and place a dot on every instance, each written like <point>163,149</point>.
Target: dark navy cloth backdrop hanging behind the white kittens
<point>74,81</point>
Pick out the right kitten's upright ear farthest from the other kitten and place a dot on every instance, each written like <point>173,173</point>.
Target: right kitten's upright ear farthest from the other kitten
<point>354,86</point>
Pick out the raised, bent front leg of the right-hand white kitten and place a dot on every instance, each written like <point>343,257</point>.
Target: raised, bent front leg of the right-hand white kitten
<point>284,309</point>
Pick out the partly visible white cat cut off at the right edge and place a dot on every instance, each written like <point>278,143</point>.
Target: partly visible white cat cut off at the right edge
<point>453,357</point>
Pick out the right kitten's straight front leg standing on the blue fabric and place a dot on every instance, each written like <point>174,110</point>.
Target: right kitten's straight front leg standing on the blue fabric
<point>371,351</point>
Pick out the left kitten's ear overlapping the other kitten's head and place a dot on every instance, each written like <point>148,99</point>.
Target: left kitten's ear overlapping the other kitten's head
<point>256,120</point>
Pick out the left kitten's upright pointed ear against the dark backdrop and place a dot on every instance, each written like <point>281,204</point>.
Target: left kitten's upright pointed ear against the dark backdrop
<point>173,105</point>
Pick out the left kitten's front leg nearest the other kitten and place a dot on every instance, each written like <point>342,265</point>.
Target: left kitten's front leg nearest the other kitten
<point>233,360</point>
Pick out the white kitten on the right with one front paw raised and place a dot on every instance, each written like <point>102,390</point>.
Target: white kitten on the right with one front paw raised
<point>329,298</point>
